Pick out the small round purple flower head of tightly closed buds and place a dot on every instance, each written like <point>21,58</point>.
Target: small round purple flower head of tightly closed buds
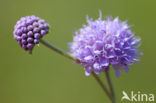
<point>28,30</point>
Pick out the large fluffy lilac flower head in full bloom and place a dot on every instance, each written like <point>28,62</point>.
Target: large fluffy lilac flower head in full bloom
<point>105,43</point>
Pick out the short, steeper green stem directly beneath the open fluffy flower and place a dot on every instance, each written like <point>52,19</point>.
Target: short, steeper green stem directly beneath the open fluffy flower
<point>110,86</point>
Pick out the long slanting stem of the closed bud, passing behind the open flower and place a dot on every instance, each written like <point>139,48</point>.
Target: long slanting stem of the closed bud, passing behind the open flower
<point>61,52</point>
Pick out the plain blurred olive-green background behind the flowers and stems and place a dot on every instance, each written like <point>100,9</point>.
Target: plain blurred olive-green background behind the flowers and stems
<point>46,77</point>
